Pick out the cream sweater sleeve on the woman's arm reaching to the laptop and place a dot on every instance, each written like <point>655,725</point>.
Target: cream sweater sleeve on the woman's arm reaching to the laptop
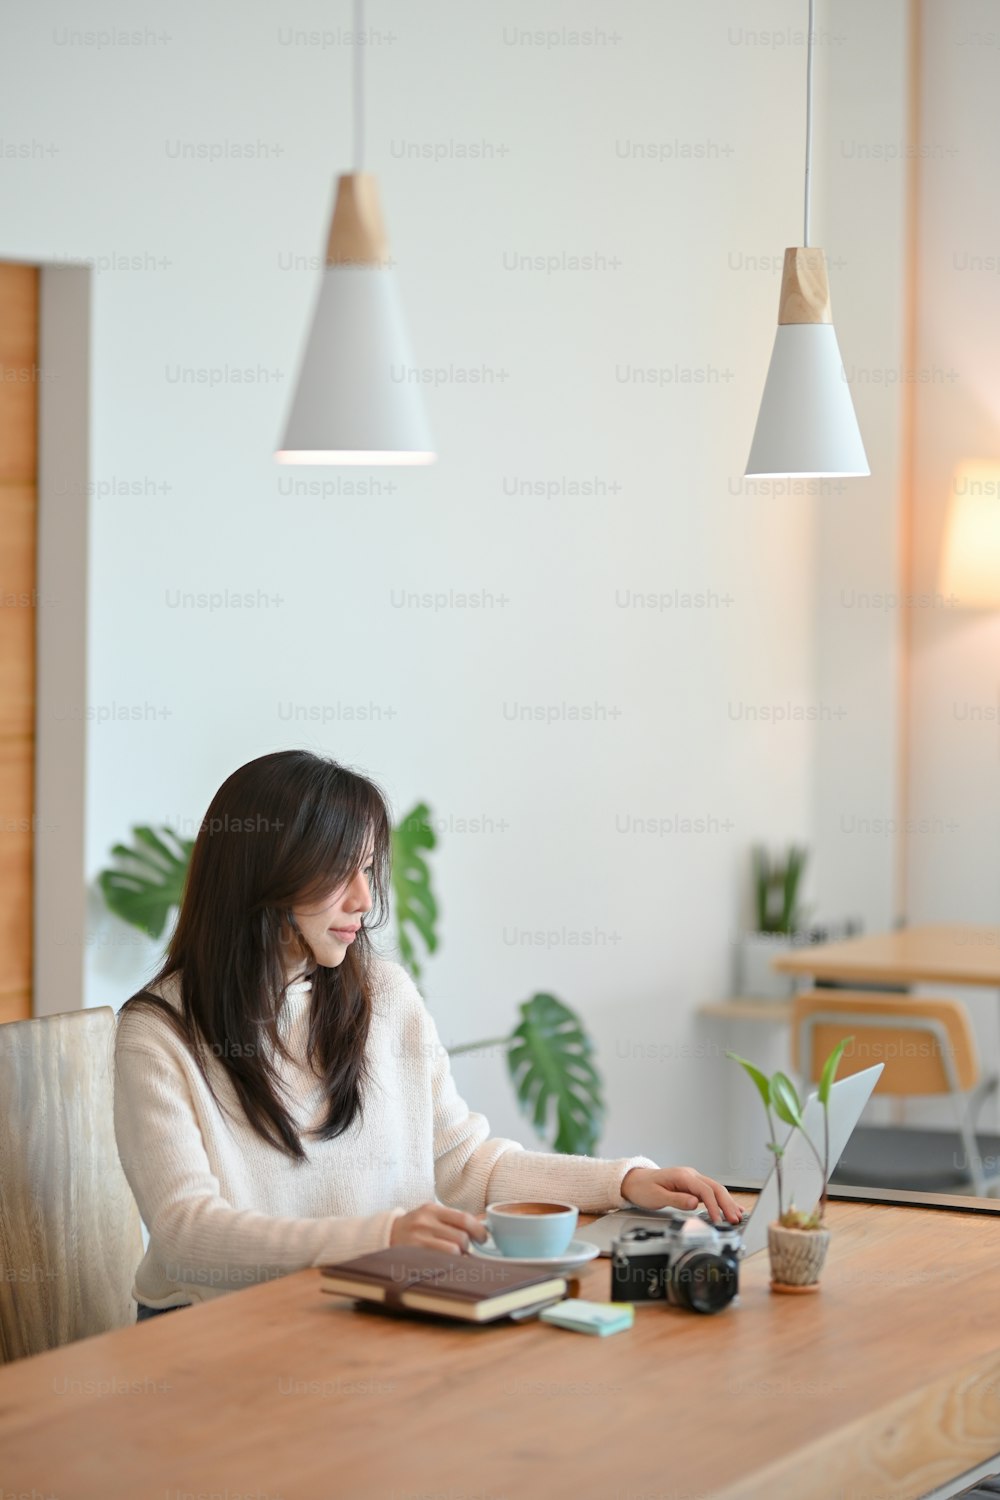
<point>475,1169</point>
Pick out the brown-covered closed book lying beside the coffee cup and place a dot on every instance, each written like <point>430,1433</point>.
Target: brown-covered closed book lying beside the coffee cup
<point>434,1282</point>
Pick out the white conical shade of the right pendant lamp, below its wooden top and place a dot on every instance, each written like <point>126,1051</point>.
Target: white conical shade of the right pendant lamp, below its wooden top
<point>807,424</point>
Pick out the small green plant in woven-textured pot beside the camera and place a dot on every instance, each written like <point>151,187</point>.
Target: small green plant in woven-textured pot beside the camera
<point>797,1241</point>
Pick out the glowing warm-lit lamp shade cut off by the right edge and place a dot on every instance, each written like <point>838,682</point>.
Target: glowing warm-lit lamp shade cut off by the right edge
<point>971,560</point>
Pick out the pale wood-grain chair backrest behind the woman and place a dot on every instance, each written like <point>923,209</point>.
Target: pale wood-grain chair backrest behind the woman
<point>70,1229</point>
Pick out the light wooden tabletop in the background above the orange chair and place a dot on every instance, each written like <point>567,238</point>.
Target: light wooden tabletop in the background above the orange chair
<point>938,953</point>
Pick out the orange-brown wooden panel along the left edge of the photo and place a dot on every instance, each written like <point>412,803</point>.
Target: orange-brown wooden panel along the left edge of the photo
<point>19,604</point>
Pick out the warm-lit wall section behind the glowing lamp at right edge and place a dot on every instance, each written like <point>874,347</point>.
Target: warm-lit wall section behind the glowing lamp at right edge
<point>954,865</point>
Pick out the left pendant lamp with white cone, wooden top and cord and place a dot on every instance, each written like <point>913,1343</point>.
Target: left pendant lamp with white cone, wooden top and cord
<point>358,400</point>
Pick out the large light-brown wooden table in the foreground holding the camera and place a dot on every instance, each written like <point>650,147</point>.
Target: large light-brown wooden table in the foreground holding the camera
<point>884,1385</point>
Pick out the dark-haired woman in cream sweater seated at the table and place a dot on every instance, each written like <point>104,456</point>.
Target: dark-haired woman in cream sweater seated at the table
<point>283,1099</point>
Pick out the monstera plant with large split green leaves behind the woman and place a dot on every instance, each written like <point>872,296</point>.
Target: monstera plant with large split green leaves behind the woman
<point>549,1054</point>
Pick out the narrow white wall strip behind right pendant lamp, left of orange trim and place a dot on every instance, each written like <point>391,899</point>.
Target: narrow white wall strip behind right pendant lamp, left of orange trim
<point>863,221</point>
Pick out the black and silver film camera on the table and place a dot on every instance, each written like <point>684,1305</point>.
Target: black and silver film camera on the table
<point>689,1264</point>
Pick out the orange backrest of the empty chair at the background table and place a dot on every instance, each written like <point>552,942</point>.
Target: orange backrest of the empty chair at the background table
<point>927,1045</point>
